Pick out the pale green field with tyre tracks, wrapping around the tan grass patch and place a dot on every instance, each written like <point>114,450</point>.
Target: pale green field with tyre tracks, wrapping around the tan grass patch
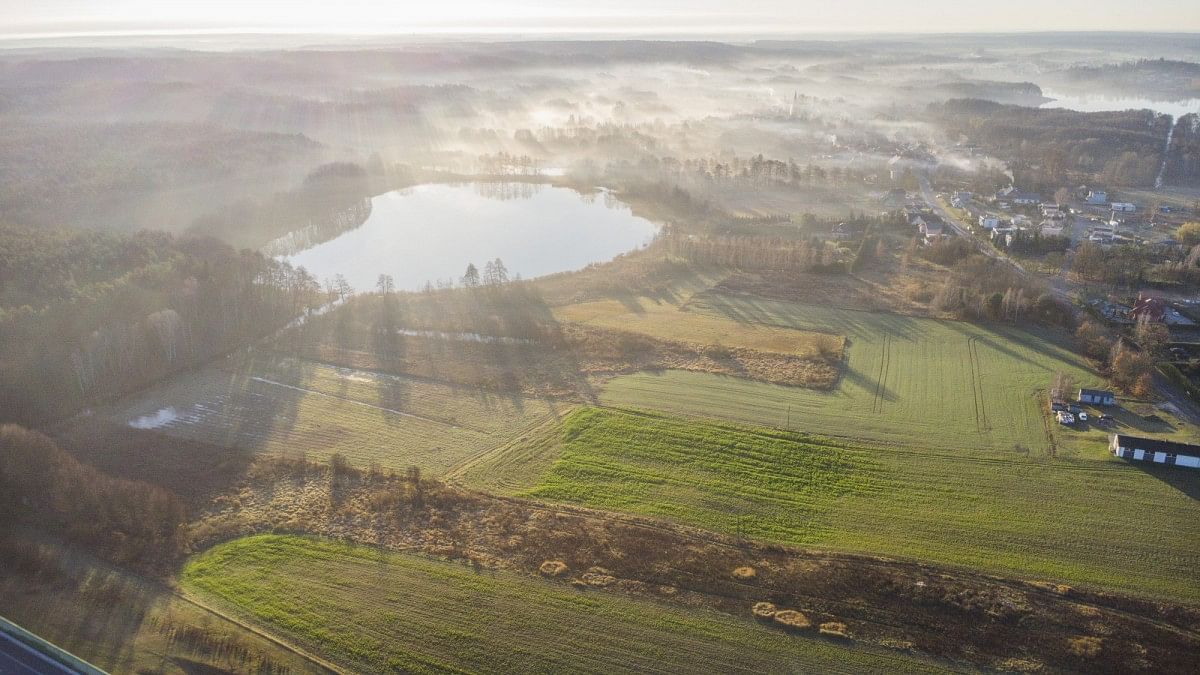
<point>920,383</point>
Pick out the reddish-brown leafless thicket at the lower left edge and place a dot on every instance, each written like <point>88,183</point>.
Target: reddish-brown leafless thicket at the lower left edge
<point>127,522</point>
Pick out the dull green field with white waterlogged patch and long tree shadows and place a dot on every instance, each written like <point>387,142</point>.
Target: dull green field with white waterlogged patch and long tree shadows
<point>293,408</point>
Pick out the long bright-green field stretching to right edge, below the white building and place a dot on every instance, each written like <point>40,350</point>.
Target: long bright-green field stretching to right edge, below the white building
<point>1076,521</point>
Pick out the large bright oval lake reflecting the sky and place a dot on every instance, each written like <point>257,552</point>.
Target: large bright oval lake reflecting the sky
<point>433,232</point>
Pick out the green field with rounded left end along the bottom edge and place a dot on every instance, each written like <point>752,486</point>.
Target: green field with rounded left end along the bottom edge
<point>381,612</point>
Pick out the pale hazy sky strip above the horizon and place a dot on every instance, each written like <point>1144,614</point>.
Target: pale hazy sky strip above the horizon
<point>598,16</point>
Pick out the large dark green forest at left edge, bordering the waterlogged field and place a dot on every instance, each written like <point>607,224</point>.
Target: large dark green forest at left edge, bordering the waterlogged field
<point>92,315</point>
